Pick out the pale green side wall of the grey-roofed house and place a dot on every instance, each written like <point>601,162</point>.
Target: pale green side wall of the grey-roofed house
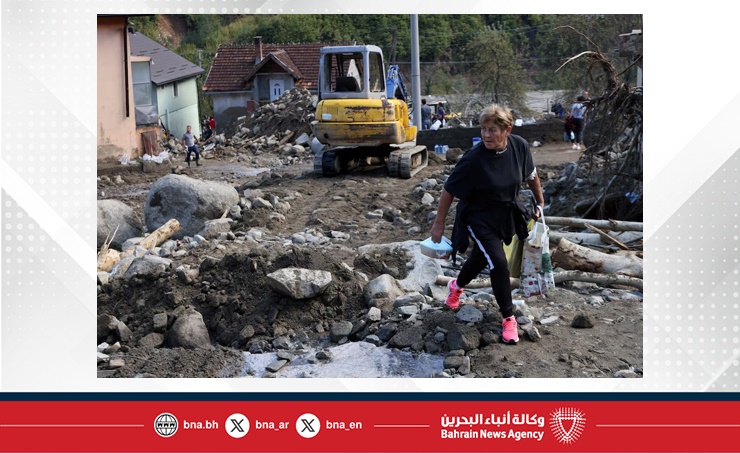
<point>177,112</point>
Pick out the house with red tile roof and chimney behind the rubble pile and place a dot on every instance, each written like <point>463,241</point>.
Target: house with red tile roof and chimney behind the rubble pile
<point>244,76</point>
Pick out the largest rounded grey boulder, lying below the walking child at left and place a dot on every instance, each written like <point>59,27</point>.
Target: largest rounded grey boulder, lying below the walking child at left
<point>191,201</point>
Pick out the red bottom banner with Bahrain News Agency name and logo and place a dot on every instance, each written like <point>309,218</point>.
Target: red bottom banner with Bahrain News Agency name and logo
<point>369,426</point>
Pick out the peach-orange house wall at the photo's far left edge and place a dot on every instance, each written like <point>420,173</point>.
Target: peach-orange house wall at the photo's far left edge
<point>116,128</point>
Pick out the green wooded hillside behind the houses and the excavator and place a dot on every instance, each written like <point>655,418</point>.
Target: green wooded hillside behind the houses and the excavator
<point>499,54</point>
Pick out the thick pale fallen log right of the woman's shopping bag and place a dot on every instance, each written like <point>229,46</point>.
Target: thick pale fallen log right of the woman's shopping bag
<point>570,256</point>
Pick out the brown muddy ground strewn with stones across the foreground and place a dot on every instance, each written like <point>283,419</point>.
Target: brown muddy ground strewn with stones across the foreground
<point>233,297</point>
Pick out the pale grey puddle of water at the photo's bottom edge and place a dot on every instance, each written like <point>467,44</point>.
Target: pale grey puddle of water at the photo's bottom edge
<point>352,360</point>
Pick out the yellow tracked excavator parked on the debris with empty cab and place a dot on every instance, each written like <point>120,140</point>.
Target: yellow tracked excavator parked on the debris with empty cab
<point>363,115</point>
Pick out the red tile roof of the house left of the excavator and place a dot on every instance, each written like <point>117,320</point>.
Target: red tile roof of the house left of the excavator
<point>234,65</point>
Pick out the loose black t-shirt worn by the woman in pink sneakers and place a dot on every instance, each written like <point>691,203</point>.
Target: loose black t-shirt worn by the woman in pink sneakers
<point>487,184</point>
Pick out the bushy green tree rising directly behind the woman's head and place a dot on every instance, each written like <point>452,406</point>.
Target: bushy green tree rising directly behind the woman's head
<point>496,71</point>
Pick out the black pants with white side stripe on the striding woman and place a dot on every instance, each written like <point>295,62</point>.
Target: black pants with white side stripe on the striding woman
<point>488,250</point>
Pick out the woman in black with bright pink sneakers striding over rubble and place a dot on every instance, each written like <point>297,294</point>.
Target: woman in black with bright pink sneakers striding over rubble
<point>486,181</point>
